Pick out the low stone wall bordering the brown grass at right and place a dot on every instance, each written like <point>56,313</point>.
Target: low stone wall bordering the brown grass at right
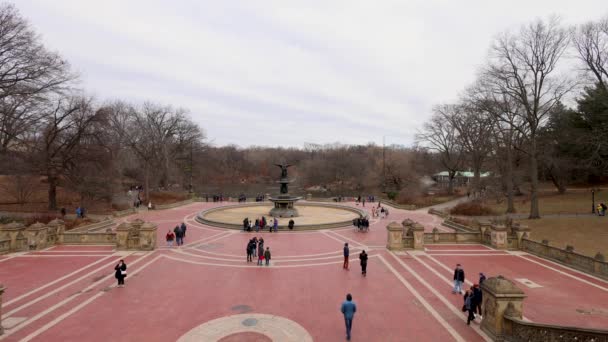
<point>597,265</point>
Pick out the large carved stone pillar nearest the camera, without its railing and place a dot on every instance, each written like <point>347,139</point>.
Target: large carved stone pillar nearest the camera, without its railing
<point>500,294</point>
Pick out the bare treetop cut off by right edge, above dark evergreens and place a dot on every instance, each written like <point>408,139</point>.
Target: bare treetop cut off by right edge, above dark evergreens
<point>591,43</point>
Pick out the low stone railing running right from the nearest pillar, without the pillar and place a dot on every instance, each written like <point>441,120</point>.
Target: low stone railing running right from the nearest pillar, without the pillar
<point>517,330</point>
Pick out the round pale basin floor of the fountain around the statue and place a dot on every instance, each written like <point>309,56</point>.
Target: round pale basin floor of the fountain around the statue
<point>312,215</point>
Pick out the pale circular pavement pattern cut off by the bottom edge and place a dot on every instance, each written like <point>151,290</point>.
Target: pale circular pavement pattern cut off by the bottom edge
<point>248,327</point>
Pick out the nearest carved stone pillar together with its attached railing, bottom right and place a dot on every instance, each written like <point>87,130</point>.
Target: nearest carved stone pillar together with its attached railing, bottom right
<point>503,313</point>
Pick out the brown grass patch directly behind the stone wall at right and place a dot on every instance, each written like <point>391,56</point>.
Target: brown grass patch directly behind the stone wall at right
<point>588,235</point>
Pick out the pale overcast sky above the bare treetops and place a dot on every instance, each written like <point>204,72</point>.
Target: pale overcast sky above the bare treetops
<point>285,73</point>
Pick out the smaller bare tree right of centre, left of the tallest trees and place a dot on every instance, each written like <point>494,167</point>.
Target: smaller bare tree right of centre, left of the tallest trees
<point>441,136</point>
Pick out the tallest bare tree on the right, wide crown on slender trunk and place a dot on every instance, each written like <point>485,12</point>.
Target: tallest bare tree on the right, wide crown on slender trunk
<point>522,67</point>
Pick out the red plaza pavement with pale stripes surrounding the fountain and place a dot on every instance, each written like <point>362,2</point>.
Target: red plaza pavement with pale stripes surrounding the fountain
<point>206,290</point>
